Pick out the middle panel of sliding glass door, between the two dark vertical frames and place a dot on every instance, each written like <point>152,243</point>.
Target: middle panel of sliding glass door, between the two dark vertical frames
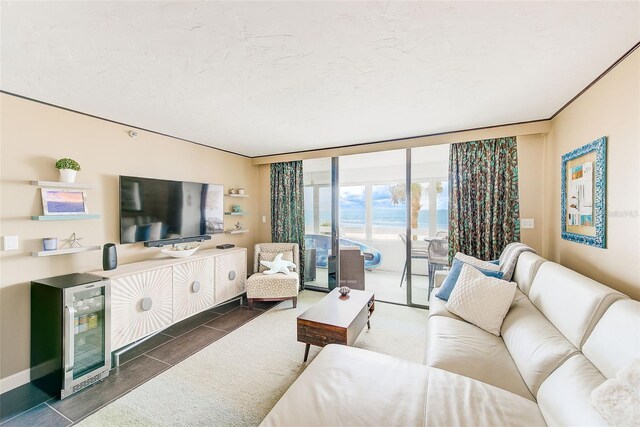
<point>373,218</point>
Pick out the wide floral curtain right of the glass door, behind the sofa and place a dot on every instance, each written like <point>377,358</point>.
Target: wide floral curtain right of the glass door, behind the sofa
<point>484,207</point>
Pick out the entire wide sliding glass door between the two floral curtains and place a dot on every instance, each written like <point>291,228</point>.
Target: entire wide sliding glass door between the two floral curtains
<point>372,202</point>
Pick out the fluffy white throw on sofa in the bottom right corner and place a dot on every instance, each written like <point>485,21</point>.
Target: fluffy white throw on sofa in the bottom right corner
<point>618,399</point>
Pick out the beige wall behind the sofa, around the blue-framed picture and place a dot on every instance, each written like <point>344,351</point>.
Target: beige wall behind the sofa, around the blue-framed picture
<point>610,108</point>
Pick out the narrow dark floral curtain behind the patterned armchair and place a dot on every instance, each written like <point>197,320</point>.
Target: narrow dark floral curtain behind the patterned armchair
<point>287,206</point>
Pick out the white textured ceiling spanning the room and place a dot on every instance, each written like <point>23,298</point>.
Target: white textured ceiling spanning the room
<point>268,77</point>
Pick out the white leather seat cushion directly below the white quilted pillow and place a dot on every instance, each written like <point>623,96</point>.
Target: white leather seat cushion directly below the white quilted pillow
<point>459,347</point>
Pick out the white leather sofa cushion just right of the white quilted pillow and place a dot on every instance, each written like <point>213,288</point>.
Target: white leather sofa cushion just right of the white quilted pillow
<point>535,345</point>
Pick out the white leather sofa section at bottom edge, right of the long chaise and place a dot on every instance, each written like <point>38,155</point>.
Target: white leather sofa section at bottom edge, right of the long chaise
<point>455,400</point>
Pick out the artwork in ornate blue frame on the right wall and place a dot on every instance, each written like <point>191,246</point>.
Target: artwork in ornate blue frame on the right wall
<point>583,194</point>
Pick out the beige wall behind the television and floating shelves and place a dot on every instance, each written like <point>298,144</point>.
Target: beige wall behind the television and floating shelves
<point>32,137</point>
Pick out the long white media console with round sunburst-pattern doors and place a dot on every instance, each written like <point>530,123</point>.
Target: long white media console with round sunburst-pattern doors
<point>150,295</point>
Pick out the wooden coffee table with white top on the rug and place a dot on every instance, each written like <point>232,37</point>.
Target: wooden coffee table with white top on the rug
<point>335,319</point>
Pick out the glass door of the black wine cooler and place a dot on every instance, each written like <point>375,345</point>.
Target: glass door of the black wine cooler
<point>87,354</point>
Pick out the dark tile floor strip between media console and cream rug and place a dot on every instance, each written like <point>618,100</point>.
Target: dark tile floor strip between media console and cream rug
<point>28,405</point>
